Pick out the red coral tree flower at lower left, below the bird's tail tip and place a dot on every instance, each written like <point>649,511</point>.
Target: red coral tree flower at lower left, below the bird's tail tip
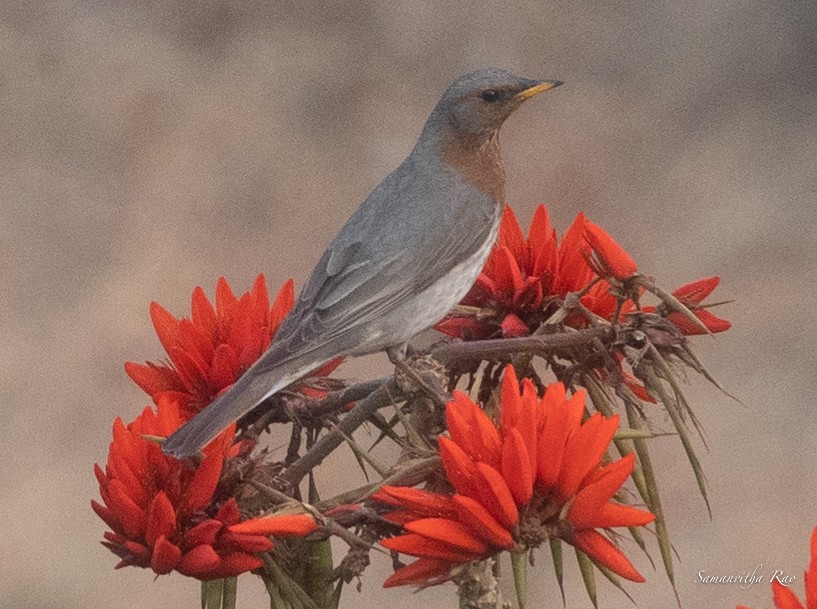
<point>162,511</point>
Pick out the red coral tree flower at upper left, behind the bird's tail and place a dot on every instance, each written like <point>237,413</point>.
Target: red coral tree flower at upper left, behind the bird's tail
<point>209,351</point>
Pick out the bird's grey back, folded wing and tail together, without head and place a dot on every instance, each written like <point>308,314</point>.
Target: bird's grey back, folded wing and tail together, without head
<point>384,255</point>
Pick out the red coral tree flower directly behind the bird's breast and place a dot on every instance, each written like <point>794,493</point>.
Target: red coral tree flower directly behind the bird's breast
<point>525,280</point>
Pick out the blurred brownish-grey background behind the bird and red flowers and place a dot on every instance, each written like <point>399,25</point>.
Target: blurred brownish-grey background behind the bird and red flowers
<point>149,147</point>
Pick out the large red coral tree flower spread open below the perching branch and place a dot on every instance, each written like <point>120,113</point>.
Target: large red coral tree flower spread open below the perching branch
<point>536,475</point>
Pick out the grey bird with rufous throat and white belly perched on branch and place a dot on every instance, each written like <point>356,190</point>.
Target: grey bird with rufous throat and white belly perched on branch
<point>408,254</point>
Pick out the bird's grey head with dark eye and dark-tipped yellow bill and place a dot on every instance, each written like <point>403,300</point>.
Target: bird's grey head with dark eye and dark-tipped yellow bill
<point>476,104</point>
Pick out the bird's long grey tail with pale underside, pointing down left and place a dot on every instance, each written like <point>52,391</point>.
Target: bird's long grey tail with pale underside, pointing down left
<point>245,394</point>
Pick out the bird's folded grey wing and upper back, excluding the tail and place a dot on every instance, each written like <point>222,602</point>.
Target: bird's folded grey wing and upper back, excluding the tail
<point>384,255</point>
